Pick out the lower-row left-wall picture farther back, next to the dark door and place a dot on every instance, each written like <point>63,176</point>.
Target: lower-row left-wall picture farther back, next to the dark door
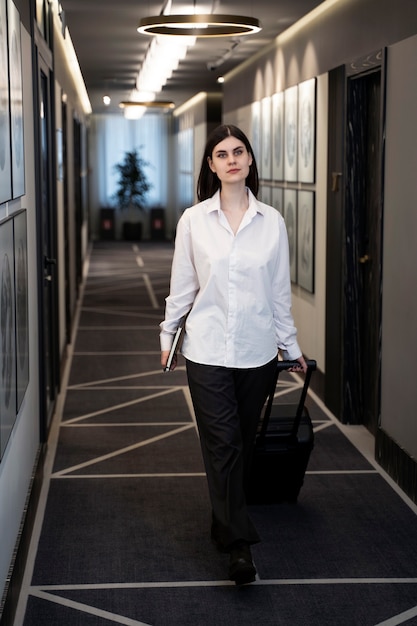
<point>22,312</point>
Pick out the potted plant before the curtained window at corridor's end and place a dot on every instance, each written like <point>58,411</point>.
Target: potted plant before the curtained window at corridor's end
<point>133,186</point>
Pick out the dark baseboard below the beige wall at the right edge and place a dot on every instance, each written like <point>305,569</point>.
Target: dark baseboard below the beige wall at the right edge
<point>399,465</point>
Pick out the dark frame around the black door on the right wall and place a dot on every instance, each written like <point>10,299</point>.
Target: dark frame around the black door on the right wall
<point>335,379</point>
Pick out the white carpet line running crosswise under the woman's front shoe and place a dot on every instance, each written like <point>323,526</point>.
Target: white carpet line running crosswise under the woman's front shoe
<point>212,583</point>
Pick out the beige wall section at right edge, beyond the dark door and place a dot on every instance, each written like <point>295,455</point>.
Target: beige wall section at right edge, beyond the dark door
<point>399,295</point>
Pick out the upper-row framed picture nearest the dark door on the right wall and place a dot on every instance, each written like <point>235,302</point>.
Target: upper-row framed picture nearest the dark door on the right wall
<point>307,131</point>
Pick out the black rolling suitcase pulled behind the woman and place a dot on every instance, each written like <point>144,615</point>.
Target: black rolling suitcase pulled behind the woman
<point>283,446</point>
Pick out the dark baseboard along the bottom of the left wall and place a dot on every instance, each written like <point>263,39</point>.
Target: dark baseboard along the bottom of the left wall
<point>17,567</point>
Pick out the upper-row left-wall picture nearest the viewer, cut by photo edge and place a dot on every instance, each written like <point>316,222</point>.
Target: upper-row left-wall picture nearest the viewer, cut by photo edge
<point>5,165</point>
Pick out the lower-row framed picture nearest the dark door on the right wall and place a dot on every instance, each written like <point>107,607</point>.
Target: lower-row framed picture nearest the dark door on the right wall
<point>306,240</point>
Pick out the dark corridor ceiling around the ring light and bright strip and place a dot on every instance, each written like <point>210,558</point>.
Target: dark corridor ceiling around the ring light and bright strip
<point>110,50</point>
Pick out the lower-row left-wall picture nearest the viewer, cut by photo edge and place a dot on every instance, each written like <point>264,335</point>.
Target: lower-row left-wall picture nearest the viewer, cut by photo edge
<point>7,334</point>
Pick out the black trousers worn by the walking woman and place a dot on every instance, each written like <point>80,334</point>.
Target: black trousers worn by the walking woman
<point>227,405</point>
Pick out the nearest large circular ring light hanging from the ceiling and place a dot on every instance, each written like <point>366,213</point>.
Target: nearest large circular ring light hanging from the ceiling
<point>204,25</point>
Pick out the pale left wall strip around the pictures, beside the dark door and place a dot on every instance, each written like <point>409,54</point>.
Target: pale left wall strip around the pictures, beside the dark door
<point>18,462</point>
